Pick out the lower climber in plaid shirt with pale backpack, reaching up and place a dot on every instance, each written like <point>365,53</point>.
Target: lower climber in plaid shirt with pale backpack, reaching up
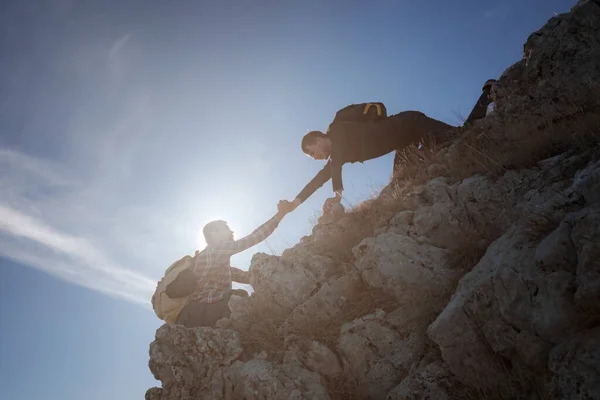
<point>199,294</point>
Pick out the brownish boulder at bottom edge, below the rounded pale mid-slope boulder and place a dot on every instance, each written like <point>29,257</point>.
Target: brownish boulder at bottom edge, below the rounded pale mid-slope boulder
<point>376,354</point>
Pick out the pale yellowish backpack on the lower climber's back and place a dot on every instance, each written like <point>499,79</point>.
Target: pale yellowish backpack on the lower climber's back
<point>165,307</point>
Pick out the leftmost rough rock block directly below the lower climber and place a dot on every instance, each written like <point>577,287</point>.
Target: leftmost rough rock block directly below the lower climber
<point>190,362</point>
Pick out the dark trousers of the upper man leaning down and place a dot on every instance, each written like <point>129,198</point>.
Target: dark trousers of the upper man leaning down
<point>416,127</point>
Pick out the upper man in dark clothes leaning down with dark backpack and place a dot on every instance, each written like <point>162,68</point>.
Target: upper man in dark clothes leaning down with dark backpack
<point>362,132</point>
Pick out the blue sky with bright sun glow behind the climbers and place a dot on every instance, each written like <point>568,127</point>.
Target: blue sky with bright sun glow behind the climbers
<point>126,126</point>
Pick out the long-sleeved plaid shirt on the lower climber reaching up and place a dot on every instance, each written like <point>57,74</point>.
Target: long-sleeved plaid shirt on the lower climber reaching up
<point>213,267</point>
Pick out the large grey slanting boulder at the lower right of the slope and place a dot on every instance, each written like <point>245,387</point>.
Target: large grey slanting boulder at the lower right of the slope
<point>519,286</point>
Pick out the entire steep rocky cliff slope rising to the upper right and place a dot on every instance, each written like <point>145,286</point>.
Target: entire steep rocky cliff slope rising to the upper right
<point>475,274</point>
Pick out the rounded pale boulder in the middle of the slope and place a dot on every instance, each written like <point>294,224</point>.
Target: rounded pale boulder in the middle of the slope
<point>405,268</point>
